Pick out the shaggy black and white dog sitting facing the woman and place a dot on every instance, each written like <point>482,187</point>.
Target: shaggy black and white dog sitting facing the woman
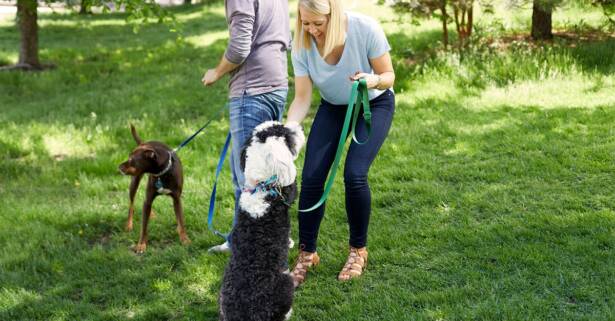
<point>256,284</point>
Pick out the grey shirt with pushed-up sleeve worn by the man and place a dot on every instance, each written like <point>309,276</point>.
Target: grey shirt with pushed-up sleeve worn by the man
<point>259,39</point>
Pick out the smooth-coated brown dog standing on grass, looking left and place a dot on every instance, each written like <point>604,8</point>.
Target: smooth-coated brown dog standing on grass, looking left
<point>165,178</point>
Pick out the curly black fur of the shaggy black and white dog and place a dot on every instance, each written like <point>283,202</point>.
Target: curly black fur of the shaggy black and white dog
<point>255,286</point>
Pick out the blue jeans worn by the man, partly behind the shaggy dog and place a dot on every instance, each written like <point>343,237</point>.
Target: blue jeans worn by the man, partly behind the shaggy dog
<point>247,112</point>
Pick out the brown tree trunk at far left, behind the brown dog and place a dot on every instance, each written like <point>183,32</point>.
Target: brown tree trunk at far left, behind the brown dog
<point>27,20</point>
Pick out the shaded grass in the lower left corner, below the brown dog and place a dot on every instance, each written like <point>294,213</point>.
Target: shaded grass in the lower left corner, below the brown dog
<point>80,267</point>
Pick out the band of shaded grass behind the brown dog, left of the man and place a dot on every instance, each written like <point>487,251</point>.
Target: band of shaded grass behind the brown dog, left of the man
<point>135,81</point>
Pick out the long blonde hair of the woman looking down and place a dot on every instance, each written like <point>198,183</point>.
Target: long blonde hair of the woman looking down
<point>335,29</point>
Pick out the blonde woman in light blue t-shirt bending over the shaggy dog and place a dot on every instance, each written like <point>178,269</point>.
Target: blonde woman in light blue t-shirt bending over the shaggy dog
<point>332,48</point>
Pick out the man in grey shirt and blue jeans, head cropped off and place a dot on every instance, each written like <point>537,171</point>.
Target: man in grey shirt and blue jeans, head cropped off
<point>256,60</point>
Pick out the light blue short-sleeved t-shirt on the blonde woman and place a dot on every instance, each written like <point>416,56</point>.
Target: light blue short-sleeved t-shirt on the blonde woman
<point>365,39</point>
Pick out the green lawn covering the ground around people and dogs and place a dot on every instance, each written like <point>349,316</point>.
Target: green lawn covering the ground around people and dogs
<point>493,197</point>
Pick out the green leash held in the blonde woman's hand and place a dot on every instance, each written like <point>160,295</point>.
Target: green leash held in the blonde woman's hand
<point>358,98</point>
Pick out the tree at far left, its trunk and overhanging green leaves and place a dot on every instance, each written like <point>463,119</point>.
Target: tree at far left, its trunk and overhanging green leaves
<point>139,11</point>
